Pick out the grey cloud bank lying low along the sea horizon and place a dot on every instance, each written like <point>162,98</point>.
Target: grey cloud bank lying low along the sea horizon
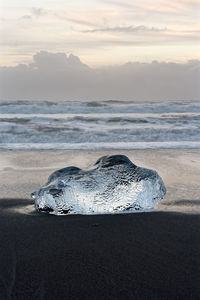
<point>58,77</point>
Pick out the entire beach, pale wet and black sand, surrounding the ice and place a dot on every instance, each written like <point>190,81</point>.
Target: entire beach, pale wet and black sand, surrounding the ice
<point>133,256</point>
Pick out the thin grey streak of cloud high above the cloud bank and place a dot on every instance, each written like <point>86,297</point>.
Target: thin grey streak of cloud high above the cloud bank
<point>127,29</point>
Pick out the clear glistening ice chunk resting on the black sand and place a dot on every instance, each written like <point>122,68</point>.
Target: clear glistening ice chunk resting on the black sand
<point>113,185</point>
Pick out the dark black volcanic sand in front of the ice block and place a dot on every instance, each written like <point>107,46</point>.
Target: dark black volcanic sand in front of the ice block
<point>135,256</point>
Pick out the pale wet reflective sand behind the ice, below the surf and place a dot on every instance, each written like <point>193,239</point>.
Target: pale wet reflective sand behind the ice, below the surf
<point>24,171</point>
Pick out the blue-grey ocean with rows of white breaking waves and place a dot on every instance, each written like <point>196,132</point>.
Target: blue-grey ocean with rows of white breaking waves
<point>99,125</point>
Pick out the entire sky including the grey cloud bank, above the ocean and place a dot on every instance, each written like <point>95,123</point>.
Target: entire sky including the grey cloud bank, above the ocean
<point>100,50</point>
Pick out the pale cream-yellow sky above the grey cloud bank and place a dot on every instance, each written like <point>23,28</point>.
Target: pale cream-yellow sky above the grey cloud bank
<point>100,32</point>
